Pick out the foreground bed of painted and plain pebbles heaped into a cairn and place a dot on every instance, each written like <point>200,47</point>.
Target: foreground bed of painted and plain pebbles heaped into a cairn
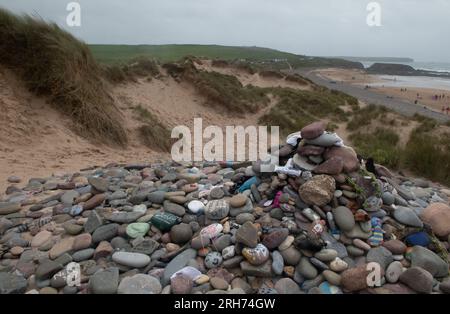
<point>215,227</point>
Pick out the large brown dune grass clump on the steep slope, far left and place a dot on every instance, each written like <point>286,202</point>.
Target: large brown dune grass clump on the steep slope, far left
<point>55,64</point>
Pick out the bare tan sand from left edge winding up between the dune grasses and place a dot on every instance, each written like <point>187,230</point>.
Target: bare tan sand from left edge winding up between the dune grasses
<point>36,140</point>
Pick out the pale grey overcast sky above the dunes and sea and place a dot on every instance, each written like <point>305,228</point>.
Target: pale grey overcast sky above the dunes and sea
<point>410,28</point>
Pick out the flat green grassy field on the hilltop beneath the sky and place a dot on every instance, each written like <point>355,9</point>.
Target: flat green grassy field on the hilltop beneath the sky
<point>119,54</point>
